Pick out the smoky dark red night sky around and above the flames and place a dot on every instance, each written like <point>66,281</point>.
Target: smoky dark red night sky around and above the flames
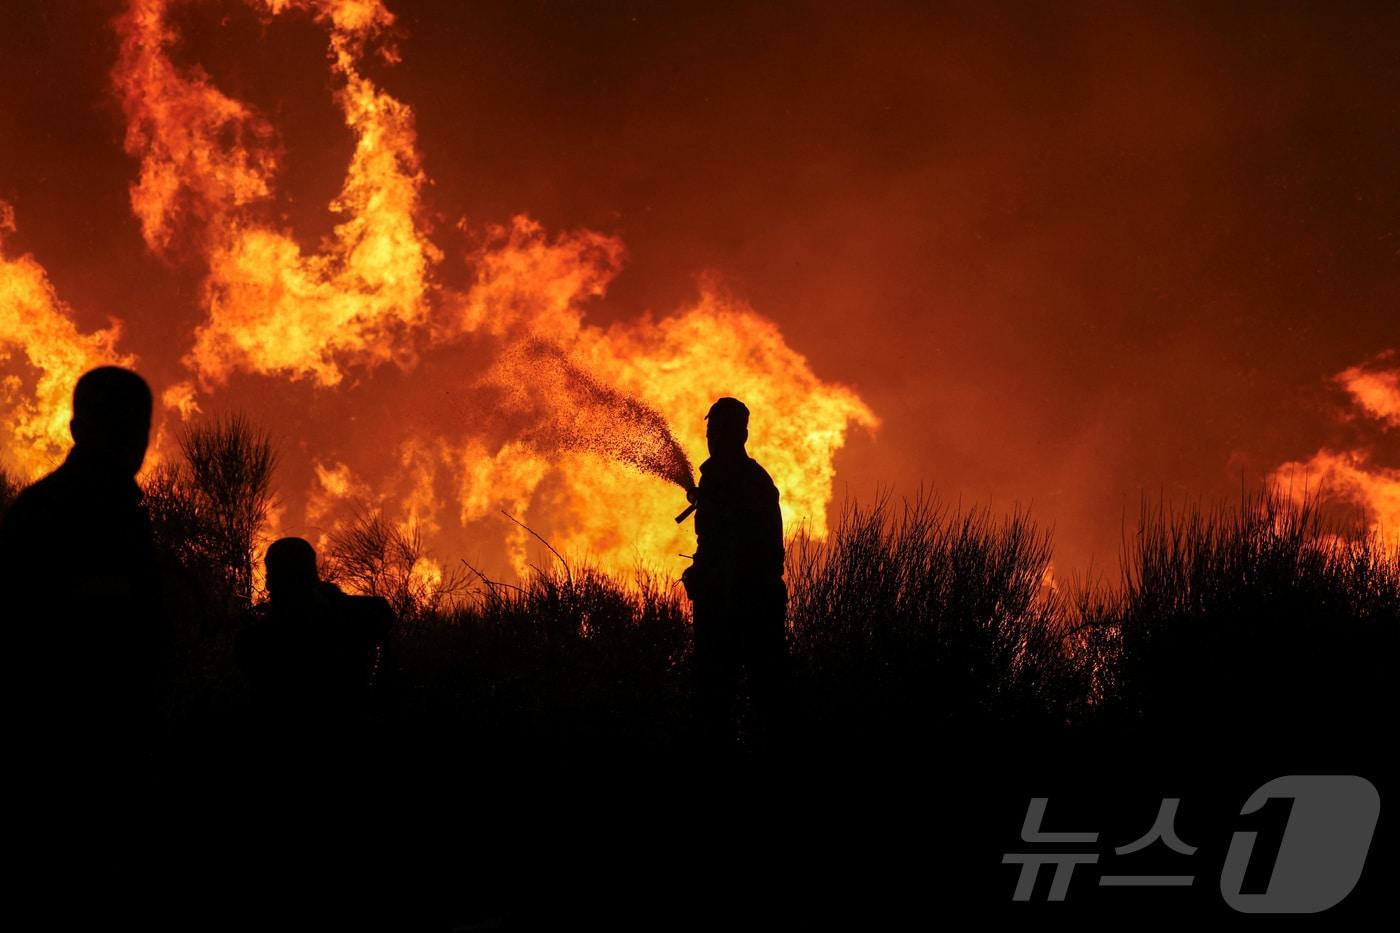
<point>1067,253</point>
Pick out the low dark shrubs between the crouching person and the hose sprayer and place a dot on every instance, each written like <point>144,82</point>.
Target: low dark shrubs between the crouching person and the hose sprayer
<point>565,659</point>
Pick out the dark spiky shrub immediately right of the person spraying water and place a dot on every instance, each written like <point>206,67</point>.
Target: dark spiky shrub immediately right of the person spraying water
<point>926,614</point>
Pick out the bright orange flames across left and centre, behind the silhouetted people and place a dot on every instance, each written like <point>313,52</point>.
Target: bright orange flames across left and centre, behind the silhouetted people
<point>569,427</point>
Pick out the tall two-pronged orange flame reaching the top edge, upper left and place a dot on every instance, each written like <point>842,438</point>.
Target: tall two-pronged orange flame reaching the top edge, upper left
<point>206,159</point>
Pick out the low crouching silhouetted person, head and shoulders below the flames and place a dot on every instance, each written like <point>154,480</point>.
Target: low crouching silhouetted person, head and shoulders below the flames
<point>313,651</point>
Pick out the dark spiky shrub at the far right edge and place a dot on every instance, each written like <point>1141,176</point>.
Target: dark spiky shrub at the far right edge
<point>1249,623</point>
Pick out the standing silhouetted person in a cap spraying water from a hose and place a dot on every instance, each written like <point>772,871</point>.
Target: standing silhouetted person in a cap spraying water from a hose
<point>736,582</point>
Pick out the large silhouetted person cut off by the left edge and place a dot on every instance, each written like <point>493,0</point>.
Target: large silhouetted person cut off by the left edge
<point>78,571</point>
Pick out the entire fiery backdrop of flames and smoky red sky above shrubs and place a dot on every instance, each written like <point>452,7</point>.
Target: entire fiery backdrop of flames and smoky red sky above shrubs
<point>468,260</point>
